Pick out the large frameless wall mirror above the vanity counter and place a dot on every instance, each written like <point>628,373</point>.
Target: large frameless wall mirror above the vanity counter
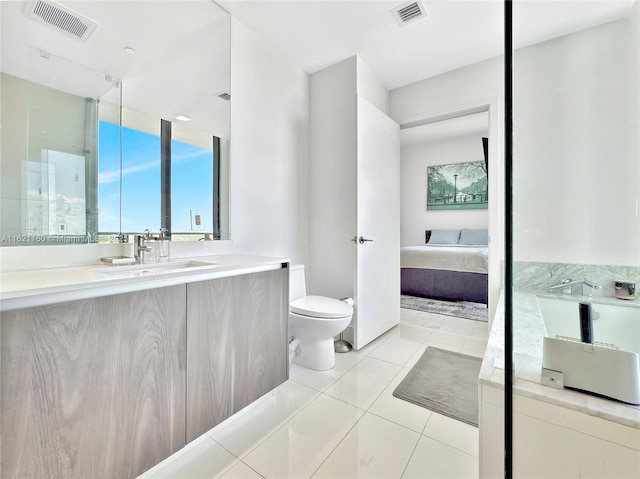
<point>114,121</point>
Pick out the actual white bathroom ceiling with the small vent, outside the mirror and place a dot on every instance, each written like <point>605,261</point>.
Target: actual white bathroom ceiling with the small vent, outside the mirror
<point>455,33</point>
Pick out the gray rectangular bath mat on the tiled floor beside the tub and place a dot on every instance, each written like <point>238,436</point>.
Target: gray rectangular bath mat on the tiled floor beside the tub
<point>445,382</point>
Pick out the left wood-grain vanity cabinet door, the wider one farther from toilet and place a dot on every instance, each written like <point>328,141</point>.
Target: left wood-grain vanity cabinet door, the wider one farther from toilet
<point>93,388</point>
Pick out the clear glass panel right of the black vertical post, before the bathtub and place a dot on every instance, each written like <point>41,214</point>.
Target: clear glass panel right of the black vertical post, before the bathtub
<point>576,232</point>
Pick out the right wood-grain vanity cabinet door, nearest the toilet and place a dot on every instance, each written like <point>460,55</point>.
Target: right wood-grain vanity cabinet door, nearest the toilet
<point>236,344</point>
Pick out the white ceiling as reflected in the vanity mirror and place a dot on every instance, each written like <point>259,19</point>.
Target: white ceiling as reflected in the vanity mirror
<point>182,58</point>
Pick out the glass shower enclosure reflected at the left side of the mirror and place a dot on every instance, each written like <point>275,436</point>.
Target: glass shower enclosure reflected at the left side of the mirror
<point>49,153</point>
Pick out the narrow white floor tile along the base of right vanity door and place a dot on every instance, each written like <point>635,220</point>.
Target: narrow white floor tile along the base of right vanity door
<point>247,431</point>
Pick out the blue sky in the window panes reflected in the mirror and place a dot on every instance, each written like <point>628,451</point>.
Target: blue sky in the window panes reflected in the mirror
<point>192,182</point>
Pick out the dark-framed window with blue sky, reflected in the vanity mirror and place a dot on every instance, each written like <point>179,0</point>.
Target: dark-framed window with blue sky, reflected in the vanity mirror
<point>132,194</point>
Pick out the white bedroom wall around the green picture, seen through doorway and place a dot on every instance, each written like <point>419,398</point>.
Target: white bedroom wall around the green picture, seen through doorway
<point>415,218</point>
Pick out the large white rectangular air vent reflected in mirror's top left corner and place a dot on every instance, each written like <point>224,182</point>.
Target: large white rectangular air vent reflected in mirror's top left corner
<point>62,18</point>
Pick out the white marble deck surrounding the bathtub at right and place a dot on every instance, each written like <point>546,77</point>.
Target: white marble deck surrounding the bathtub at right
<point>528,331</point>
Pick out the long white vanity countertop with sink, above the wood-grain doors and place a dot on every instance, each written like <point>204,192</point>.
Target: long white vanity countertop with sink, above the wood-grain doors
<point>23,289</point>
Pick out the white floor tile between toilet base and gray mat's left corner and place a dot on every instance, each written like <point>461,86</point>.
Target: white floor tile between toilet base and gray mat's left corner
<point>364,382</point>
